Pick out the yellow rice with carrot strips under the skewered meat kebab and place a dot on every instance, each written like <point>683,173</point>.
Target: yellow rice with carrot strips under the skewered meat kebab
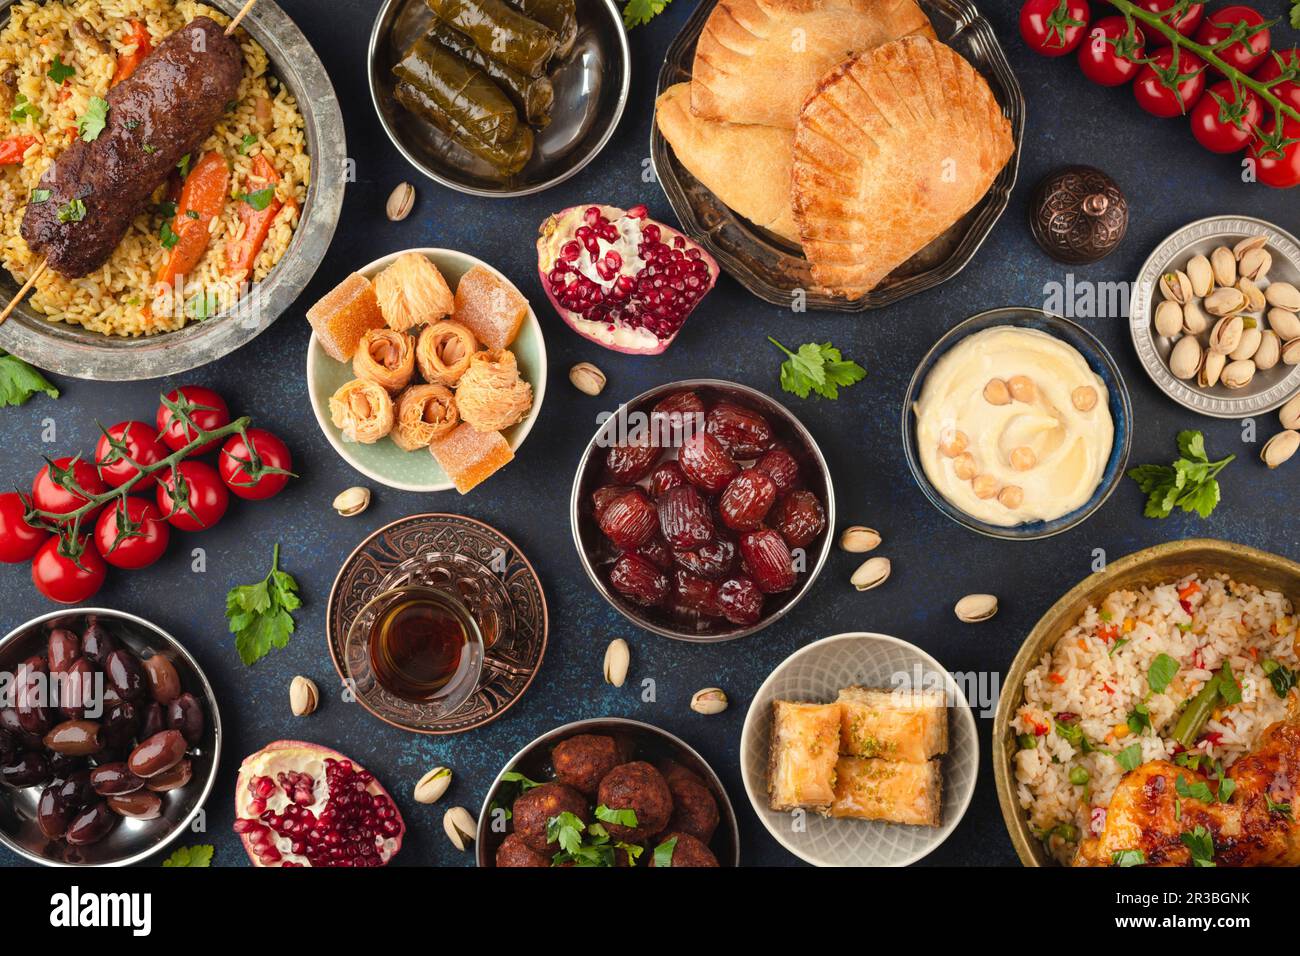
<point>58,62</point>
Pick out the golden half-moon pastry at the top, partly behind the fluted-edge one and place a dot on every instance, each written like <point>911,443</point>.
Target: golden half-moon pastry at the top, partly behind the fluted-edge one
<point>759,59</point>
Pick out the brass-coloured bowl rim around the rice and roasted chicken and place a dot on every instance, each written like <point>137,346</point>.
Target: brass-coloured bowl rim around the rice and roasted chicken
<point>1154,566</point>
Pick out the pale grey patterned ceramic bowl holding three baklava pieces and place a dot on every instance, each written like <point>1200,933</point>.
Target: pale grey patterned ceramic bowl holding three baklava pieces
<point>817,673</point>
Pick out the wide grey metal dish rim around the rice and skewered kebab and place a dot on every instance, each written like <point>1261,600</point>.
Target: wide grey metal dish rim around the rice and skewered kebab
<point>84,354</point>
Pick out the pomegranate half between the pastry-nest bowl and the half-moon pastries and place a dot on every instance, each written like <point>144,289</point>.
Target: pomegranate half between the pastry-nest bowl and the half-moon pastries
<point>621,279</point>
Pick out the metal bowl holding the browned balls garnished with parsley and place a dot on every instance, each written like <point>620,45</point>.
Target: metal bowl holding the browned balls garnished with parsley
<point>649,743</point>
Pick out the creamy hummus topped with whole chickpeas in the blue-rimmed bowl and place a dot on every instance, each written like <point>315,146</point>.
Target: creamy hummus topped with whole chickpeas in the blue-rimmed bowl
<point>1015,427</point>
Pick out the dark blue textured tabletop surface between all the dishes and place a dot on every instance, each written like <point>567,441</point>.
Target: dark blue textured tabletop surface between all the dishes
<point>1169,183</point>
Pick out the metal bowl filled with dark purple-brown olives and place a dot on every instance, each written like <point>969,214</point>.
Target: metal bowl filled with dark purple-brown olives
<point>110,738</point>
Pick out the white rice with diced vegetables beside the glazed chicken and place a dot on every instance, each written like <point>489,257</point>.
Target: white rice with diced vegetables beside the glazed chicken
<point>1190,672</point>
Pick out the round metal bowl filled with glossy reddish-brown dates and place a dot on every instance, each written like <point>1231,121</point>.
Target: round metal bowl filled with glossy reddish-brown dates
<point>703,511</point>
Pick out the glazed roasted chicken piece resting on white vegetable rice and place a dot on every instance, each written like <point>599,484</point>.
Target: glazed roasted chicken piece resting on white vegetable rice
<point>1147,815</point>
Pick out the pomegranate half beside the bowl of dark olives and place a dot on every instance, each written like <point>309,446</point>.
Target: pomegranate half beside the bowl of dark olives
<point>301,804</point>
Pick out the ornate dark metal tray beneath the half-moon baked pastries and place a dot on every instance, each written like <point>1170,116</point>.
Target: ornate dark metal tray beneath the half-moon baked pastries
<point>778,272</point>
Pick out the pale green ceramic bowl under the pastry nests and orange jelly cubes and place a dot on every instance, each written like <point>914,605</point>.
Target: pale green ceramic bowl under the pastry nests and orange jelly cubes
<point>385,462</point>
